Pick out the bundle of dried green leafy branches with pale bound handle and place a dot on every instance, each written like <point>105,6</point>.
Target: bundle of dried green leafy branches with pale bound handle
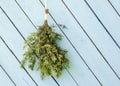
<point>44,50</point>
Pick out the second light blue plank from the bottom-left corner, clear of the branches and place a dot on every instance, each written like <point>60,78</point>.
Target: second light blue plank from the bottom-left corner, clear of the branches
<point>13,67</point>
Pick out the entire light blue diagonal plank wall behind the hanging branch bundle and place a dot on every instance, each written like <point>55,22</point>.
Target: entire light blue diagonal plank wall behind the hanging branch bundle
<point>93,54</point>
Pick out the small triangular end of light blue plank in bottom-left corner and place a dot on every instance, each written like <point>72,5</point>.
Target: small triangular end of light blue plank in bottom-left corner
<point>4,79</point>
